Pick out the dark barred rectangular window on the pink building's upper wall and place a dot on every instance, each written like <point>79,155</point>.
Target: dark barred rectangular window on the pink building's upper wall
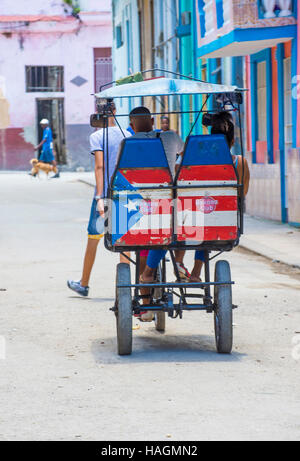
<point>44,78</point>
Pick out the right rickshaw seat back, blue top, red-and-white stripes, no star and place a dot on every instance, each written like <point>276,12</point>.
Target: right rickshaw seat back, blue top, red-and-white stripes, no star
<point>207,199</point>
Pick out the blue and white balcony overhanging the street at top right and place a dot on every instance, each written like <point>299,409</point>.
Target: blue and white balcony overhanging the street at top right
<point>236,28</point>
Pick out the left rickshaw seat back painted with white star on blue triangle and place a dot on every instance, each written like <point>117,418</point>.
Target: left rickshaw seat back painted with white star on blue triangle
<point>140,214</point>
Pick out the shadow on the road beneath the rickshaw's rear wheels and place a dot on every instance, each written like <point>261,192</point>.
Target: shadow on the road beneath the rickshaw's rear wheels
<point>163,348</point>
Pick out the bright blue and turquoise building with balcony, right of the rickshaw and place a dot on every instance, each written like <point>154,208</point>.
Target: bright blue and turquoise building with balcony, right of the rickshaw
<point>253,44</point>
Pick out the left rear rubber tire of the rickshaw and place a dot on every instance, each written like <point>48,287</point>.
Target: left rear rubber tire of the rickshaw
<point>124,310</point>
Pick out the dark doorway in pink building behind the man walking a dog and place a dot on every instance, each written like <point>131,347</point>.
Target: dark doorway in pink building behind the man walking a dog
<point>53,110</point>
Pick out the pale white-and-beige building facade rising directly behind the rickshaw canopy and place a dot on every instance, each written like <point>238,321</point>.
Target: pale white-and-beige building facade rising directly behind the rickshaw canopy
<point>145,39</point>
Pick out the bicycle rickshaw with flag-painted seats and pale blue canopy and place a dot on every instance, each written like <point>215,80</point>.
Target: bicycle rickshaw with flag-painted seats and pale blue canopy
<point>201,208</point>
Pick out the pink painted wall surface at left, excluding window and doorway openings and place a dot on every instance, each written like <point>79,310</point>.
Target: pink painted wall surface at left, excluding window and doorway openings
<point>68,43</point>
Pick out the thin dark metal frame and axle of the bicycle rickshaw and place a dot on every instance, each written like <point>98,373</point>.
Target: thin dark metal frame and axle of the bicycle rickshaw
<point>168,289</point>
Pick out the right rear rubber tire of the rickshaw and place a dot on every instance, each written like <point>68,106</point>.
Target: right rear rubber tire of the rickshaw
<point>223,308</point>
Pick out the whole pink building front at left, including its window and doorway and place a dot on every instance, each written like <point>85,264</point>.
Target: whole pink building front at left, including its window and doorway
<point>51,60</point>
